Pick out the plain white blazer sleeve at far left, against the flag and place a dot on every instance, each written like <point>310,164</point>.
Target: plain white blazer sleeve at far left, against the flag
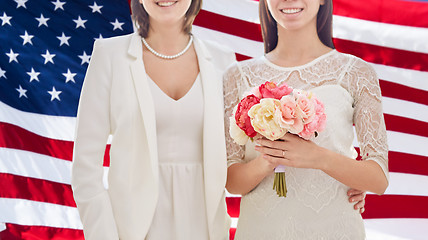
<point>92,131</point>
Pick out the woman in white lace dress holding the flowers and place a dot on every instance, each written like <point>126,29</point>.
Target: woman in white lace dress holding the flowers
<point>300,52</point>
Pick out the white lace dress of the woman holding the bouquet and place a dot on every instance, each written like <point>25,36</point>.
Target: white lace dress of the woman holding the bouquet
<point>316,206</point>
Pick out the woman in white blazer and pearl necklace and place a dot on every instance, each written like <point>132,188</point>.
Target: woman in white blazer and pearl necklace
<point>158,93</point>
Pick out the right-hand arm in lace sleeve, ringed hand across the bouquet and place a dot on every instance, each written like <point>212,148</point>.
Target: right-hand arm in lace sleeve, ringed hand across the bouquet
<point>371,174</point>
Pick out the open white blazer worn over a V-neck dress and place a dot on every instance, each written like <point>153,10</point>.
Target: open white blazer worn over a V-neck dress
<point>116,100</point>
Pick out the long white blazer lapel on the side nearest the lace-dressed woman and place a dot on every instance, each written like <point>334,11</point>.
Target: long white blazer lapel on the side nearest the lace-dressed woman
<point>213,133</point>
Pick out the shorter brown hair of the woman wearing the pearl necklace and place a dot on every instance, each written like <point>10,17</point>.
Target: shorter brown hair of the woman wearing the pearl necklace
<point>141,17</point>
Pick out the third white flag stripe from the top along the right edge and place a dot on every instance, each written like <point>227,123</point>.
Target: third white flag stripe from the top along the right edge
<point>405,109</point>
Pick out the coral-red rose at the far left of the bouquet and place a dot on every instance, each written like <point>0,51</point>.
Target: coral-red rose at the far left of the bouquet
<point>241,116</point>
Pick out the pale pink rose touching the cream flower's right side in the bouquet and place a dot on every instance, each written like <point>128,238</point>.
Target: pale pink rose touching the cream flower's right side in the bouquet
<point>288,117</point>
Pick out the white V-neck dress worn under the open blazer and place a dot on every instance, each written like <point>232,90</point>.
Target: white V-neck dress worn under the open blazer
<point>180,213</point>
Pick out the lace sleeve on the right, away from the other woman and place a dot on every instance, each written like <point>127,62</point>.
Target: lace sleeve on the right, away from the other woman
<point>368,115</point>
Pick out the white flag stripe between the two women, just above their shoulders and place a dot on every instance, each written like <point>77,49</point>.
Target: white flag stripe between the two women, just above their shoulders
<point>237,44</point>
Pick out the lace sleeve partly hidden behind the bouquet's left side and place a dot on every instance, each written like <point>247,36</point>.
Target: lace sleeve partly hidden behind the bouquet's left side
<point>235,152</point>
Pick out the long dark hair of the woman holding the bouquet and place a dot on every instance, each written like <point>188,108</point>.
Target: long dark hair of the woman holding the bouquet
<point>270,29</point>
